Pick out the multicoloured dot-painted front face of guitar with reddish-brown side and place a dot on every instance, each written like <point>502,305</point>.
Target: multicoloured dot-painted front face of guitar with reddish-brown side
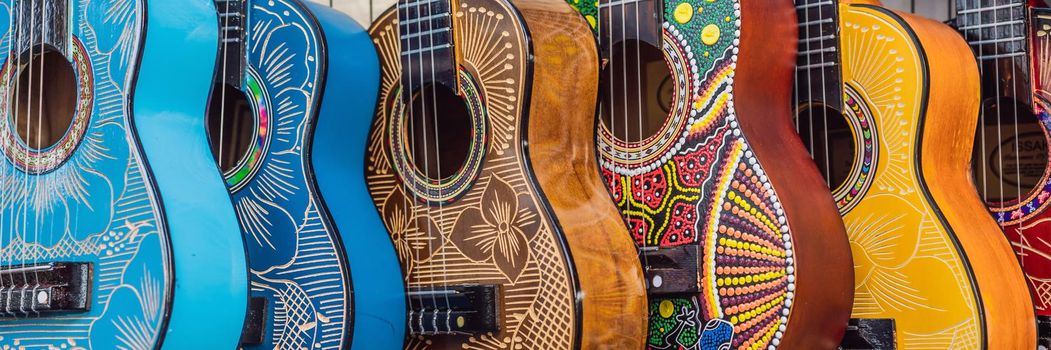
<point>696,181</point>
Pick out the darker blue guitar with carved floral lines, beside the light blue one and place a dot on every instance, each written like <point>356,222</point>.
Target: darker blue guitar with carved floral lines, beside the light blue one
<point>293,92</point>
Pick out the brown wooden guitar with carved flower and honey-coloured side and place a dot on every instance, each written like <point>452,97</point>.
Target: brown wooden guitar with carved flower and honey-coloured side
<point>482,164</point>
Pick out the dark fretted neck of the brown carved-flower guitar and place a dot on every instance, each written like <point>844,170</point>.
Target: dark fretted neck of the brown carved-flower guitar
<point>428,44</point>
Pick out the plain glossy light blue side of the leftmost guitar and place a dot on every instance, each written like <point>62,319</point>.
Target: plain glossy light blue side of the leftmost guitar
<point>211,296</point>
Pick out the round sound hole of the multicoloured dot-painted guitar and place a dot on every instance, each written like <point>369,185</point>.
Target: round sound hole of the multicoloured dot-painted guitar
<point>636,92</point>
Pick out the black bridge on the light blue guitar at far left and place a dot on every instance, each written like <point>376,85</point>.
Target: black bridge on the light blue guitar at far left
<point>30,291</point>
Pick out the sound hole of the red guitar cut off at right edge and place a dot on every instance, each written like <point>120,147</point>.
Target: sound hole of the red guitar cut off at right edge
<point>1011,152</point>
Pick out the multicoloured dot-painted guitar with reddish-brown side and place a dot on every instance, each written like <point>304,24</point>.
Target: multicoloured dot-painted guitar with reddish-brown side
<point>740,241</point>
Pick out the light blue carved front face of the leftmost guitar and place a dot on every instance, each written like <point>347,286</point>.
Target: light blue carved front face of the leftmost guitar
<point>91,198</point>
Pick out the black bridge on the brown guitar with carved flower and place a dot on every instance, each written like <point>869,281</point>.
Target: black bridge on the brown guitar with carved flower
<point>455,311</point>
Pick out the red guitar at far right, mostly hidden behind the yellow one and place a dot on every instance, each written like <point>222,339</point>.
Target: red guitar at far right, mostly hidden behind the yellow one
<point>1012,158</point>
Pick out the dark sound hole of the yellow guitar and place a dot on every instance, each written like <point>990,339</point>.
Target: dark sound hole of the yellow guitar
<point>831,141</point>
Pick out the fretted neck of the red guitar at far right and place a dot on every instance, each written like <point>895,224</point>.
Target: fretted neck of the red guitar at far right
<point>998,31</point>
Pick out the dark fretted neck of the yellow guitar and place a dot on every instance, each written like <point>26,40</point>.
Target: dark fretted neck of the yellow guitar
<point>818,72</point>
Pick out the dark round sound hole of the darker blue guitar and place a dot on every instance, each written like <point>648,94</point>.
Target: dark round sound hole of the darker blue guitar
<point>232,127</point>
